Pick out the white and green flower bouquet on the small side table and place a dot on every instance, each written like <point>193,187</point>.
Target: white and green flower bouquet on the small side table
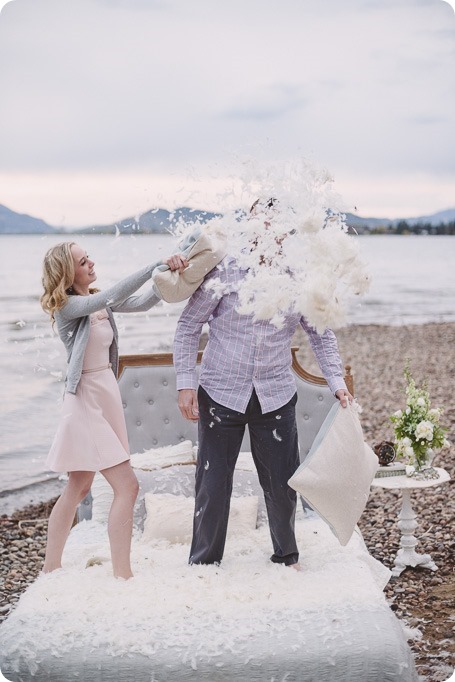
<point>418,432</point>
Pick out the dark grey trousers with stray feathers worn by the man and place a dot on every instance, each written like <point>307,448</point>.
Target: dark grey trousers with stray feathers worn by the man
<point>274,446</point>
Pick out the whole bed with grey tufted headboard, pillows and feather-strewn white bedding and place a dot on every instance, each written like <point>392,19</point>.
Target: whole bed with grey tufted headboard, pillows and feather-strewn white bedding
<point>248,619</point>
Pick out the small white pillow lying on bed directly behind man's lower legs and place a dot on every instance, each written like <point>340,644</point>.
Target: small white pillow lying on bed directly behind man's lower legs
<point>170,517</point>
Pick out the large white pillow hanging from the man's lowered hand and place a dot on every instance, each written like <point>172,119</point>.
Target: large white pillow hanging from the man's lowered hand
<point>336,474</point>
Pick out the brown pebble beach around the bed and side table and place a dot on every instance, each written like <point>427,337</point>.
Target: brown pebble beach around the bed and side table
<point>421,598</point>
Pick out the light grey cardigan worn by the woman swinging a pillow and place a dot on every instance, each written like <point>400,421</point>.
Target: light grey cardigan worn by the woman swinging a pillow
<point>73,321</point>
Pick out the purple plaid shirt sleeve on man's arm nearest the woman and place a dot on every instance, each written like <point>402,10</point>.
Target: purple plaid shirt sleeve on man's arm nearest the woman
<point>197,312</point>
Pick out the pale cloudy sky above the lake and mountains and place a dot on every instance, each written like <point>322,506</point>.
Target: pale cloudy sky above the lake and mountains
<point>112,107</point>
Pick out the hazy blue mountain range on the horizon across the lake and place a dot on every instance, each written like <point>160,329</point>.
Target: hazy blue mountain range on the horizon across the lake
<point>160,221</point>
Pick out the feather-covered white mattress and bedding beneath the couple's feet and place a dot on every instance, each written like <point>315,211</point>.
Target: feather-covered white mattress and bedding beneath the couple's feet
<point>248,619</point>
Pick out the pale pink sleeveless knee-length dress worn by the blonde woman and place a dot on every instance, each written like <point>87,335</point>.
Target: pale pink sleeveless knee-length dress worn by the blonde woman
<point>91,435</point>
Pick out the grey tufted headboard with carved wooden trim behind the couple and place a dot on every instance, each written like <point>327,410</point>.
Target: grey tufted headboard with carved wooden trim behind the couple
<point>153,419</point>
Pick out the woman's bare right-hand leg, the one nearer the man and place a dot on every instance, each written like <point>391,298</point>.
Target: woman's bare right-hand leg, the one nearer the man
<point>125,486</point>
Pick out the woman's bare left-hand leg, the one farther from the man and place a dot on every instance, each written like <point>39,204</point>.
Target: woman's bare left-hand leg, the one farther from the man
<point>62,517</point>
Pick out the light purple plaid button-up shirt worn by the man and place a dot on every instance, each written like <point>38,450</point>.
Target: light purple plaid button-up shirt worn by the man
<point>242,354</point>
